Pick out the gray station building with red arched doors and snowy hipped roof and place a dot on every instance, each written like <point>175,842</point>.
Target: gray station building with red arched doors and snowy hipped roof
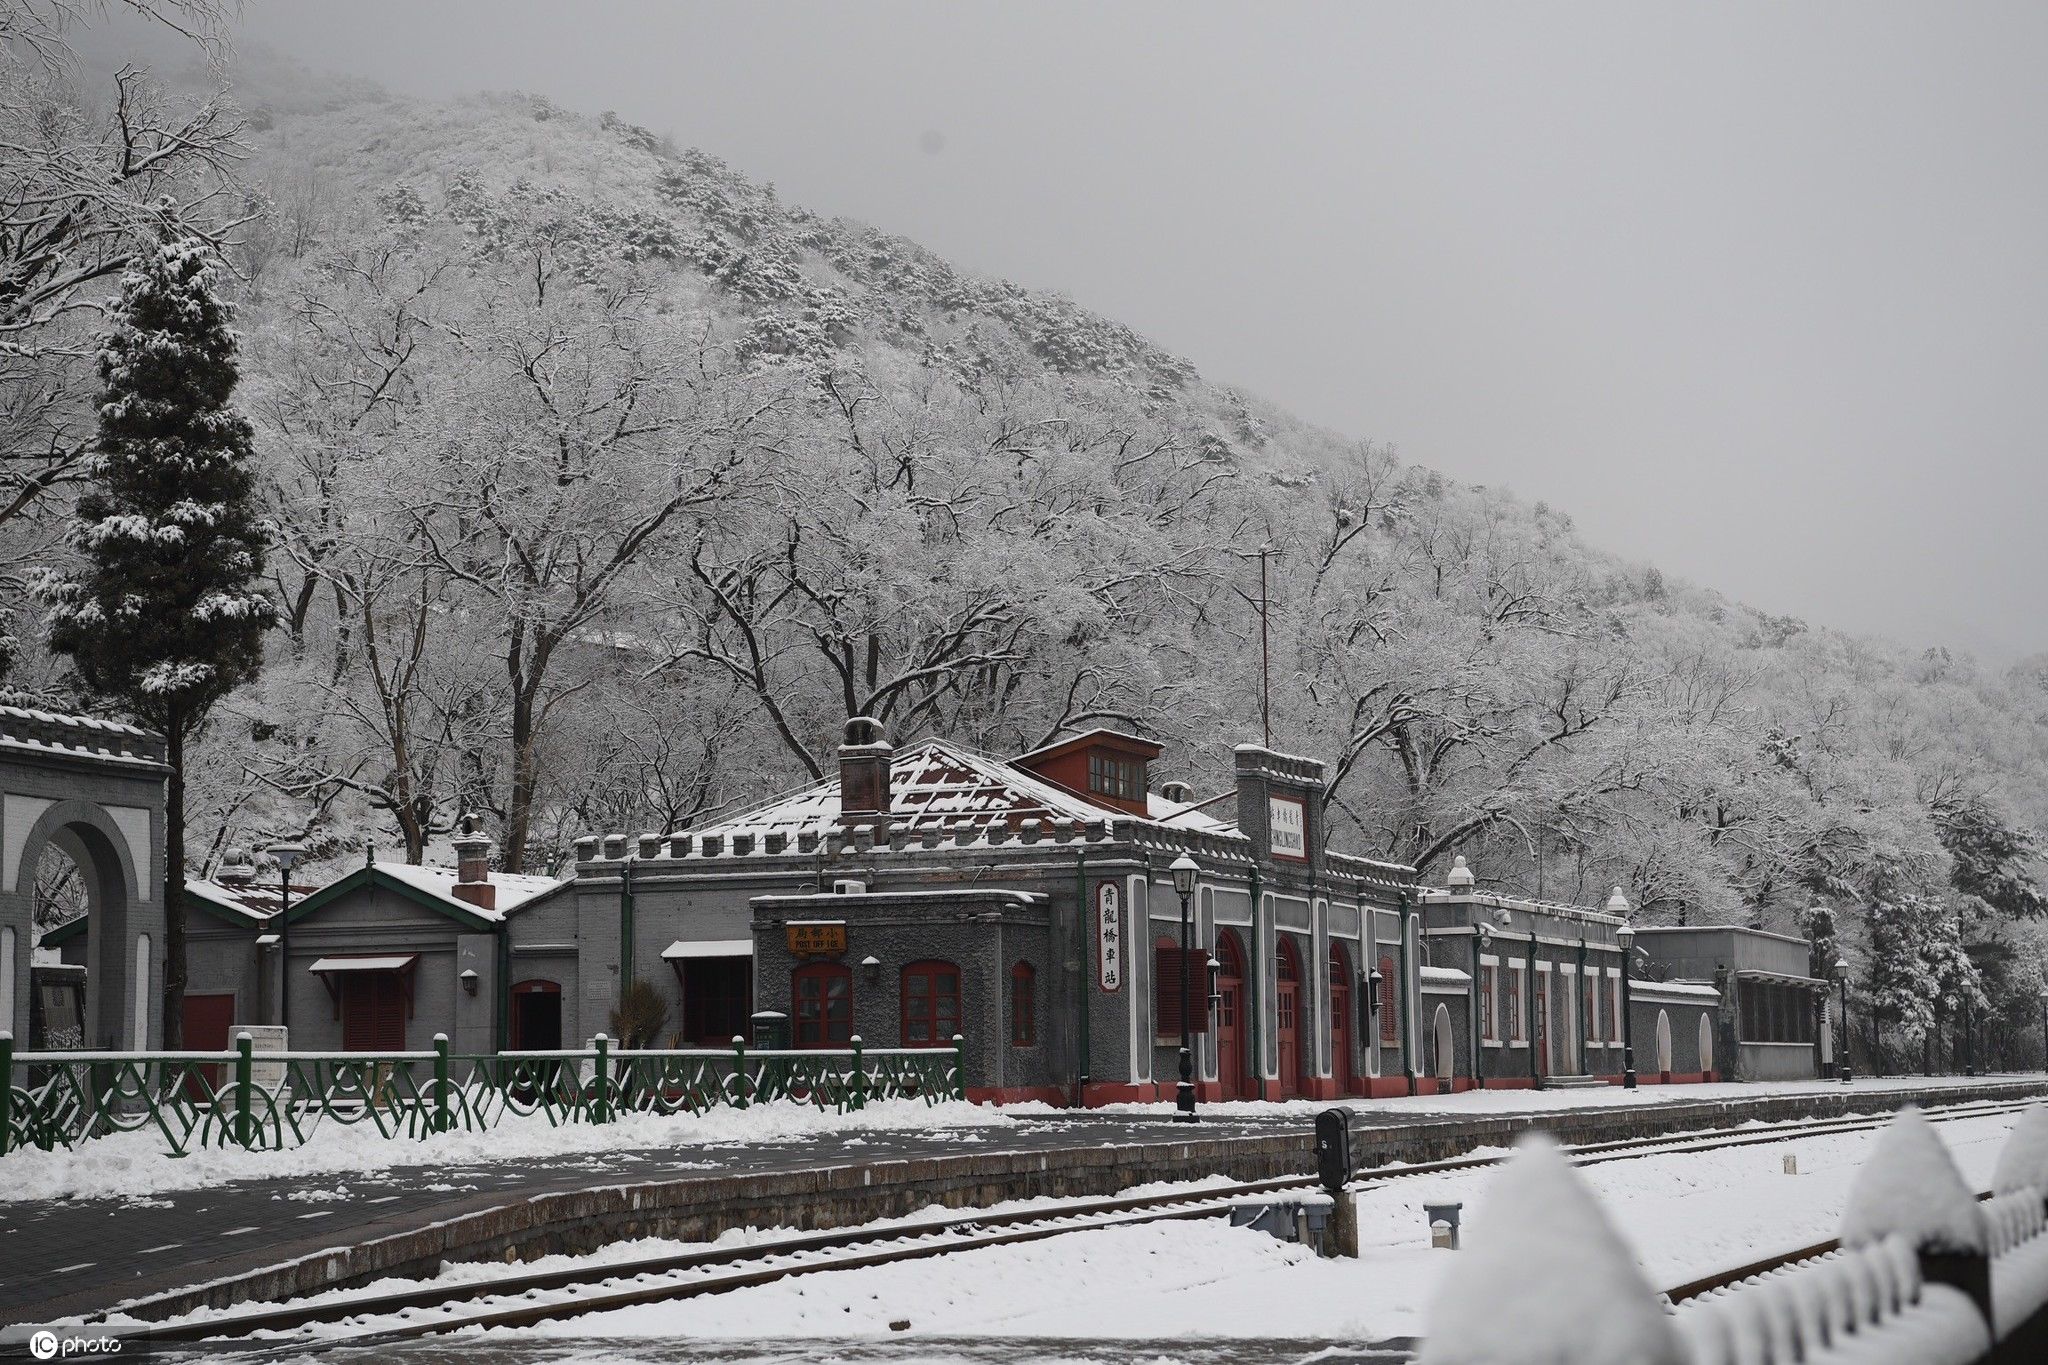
<point>1027,906</point>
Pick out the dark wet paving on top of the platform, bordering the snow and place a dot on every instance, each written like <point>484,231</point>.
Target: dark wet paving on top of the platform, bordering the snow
<point>73,1256</point>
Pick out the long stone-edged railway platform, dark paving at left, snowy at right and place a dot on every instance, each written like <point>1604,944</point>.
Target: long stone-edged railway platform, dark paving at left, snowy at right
<point>273,1239</point>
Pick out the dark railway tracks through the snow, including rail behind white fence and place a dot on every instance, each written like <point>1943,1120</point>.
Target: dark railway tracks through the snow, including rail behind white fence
<point>376,1319</point>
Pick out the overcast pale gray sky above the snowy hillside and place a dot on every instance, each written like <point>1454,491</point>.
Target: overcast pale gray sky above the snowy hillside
<point>1756,292</point>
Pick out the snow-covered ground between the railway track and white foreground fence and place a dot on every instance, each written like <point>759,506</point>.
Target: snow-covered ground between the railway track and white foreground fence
<point>1684,1217</point>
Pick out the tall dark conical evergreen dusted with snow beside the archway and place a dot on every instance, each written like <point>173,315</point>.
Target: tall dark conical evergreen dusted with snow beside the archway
<point>165,615</point>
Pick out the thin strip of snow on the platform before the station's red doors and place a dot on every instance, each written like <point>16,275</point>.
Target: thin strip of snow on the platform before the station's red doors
<point>1543,1102</point>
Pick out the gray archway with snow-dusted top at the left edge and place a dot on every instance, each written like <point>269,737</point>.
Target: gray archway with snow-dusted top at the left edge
<point>95,791</point>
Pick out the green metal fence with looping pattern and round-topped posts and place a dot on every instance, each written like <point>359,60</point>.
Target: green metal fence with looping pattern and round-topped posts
<point>278,1100</point>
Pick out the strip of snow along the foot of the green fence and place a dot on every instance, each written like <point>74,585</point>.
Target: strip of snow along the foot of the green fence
<point>136,1163</point>
